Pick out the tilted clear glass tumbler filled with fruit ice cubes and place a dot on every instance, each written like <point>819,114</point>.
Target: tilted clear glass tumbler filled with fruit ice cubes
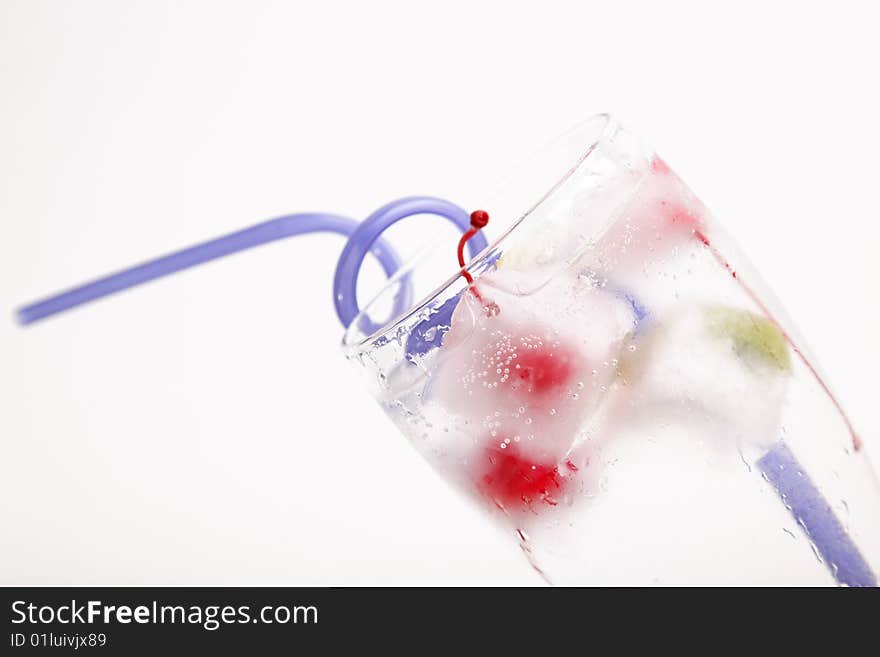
<point>620,391</point>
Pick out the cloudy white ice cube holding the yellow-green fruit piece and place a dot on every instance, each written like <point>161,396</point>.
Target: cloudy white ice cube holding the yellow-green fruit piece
<point>672,371</point>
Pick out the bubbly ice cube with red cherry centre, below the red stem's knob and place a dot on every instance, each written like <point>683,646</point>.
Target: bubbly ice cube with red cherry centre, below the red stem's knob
<point>536,370</point>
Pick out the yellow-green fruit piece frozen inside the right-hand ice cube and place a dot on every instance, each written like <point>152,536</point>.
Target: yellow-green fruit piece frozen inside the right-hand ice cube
<point>754,337</point>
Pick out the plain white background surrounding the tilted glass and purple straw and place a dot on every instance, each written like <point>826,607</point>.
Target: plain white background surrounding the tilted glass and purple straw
<point>206,429</point>
